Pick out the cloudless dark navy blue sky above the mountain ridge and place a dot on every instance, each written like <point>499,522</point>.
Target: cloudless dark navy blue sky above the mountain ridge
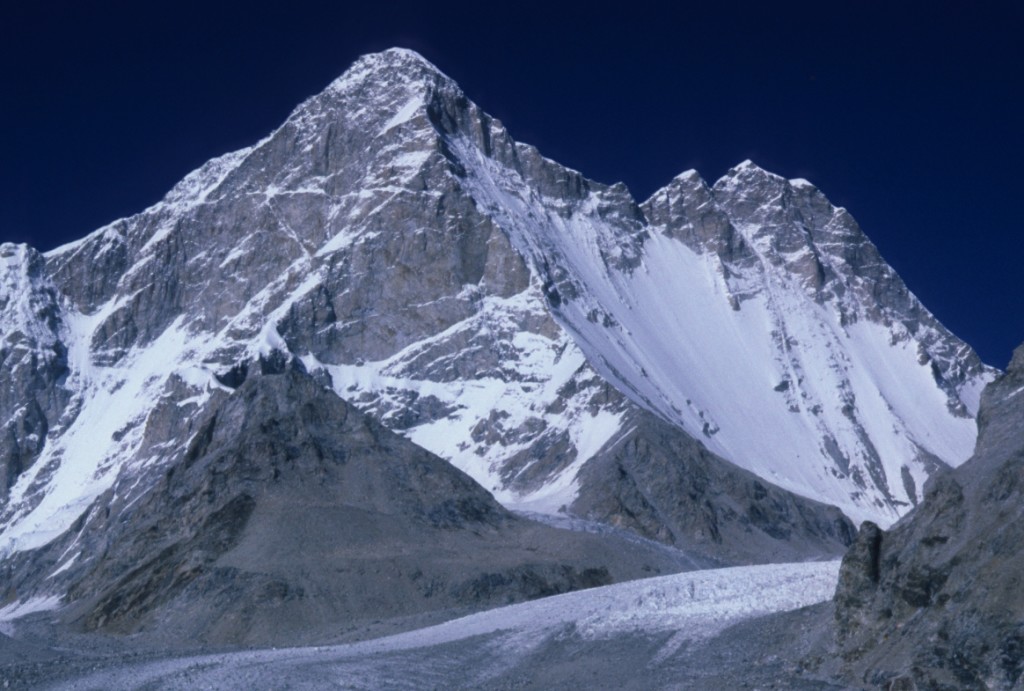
<point>907,113</point>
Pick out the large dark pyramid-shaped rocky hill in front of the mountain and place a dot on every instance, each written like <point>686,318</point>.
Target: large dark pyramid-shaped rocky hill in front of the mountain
<point>293,517</point>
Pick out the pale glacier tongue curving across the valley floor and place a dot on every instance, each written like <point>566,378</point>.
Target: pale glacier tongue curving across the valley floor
<point>480,651</point>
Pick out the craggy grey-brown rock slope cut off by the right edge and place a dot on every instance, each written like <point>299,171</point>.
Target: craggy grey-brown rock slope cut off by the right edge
<point>937,601</point>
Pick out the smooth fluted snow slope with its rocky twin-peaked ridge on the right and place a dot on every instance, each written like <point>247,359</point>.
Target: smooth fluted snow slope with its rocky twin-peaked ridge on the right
<point>827,391</point>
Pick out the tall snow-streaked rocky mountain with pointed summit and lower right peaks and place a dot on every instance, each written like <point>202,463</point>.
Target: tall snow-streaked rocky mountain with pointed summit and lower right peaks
<point>493,307</point>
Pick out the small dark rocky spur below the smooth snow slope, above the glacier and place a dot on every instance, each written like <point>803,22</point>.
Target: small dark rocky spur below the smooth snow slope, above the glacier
<point>666,486</point>
